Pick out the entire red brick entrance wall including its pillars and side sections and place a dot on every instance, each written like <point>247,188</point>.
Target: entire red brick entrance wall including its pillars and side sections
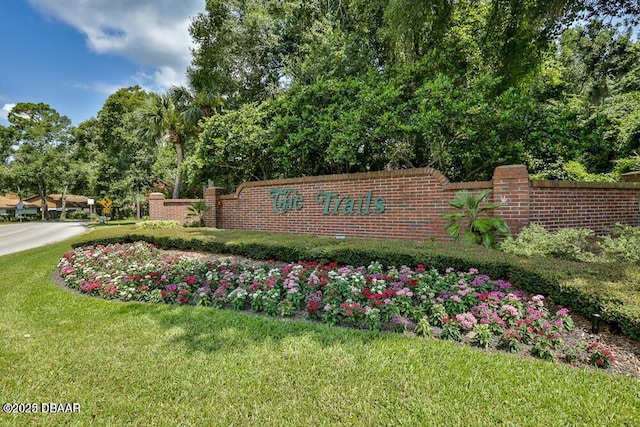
<point>405,204</point>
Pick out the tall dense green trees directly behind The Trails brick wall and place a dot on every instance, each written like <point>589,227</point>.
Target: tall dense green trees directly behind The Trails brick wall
<point>315,88</point>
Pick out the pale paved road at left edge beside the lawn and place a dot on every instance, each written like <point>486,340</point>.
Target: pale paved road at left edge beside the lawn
<point>27,235</point>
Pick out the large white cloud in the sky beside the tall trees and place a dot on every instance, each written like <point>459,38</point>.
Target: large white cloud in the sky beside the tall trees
<point>151,33</point>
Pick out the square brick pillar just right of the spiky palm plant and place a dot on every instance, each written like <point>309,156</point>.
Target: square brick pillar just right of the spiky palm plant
<point>511,187</point>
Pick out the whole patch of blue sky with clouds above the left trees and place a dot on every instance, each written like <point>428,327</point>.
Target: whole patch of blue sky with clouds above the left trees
<point>73,54</point>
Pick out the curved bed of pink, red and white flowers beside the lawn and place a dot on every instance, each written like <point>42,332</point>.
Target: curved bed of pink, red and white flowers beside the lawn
<point>461,306</point>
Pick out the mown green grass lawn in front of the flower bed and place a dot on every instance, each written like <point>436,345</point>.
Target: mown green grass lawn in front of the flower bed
<point>129,363</point>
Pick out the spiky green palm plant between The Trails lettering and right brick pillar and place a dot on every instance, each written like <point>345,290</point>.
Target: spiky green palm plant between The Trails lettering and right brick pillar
<point>473,228</point>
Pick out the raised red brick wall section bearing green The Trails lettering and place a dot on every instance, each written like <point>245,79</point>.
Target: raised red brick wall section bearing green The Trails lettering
<point>414,200</point>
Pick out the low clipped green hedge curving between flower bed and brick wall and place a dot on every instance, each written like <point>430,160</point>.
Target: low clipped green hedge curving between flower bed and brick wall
<point>584,288</point>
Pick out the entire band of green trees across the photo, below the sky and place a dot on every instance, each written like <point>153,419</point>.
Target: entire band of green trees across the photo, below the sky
<point>285,88</point>
